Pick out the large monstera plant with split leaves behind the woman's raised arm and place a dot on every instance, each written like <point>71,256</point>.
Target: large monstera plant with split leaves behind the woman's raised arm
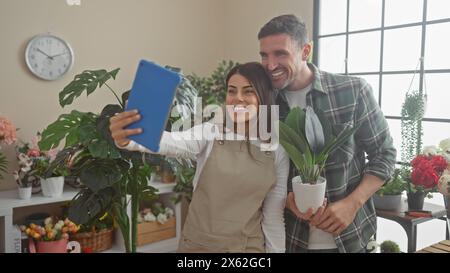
<point>112,177</point>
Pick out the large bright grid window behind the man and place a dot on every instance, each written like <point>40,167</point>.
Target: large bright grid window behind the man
<point>393,48</point>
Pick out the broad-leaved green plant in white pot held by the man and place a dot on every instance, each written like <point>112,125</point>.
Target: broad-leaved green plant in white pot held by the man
<point>308,139</point>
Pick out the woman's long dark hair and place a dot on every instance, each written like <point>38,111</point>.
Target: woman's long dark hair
<point>255,73</point>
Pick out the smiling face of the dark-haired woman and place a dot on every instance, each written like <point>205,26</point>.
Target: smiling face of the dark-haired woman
<point>242,100</point>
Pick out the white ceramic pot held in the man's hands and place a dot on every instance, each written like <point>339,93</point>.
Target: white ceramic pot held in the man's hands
<point>308,195</point>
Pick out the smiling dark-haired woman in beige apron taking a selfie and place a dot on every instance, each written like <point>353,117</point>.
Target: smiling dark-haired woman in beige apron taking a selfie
<point>239,190</point>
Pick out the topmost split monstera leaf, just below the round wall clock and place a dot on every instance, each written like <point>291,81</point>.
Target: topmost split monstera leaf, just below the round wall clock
<point>88,80</point>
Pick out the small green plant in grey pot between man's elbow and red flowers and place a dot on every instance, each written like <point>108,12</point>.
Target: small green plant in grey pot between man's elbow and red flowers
<point>389,196</point>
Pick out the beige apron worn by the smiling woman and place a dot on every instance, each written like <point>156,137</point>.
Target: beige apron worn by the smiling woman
<point>225,213</point>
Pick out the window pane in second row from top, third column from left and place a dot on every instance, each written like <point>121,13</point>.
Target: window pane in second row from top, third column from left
<point>402,48</point>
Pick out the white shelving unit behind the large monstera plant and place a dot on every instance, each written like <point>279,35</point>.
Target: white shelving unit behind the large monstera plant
<point>9,201</point>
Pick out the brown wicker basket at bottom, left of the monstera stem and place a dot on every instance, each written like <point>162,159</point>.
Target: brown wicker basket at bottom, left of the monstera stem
<point>96,241</point>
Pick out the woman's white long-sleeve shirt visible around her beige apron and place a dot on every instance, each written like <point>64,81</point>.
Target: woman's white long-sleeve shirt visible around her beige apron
<point>197,143</point>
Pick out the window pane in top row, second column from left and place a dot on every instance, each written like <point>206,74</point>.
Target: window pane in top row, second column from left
<point>364,14</point>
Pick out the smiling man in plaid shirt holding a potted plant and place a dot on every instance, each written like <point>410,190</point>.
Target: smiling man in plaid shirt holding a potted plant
<point>348,221</point>
